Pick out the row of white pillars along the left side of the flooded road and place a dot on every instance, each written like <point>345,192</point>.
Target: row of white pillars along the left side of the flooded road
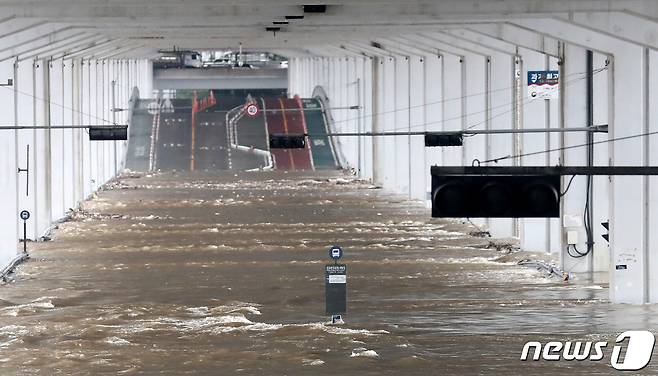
<point>64,166</point>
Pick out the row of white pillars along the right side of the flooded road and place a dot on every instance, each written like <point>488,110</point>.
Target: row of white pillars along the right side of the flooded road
<point>484,87</point>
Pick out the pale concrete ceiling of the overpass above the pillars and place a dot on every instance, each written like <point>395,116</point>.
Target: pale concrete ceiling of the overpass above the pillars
<point>138,28</point>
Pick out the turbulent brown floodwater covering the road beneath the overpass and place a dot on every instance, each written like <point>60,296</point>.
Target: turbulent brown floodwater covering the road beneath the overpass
<point>222,274</point>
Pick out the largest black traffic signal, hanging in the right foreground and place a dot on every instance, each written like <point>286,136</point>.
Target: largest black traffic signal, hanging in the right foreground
<point>496,196</point>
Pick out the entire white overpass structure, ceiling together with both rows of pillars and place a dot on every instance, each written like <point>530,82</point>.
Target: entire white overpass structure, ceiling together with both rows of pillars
<point>412,66</point>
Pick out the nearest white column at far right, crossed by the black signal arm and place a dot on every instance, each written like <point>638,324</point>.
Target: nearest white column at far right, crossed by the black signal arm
<point>629,217</point>
